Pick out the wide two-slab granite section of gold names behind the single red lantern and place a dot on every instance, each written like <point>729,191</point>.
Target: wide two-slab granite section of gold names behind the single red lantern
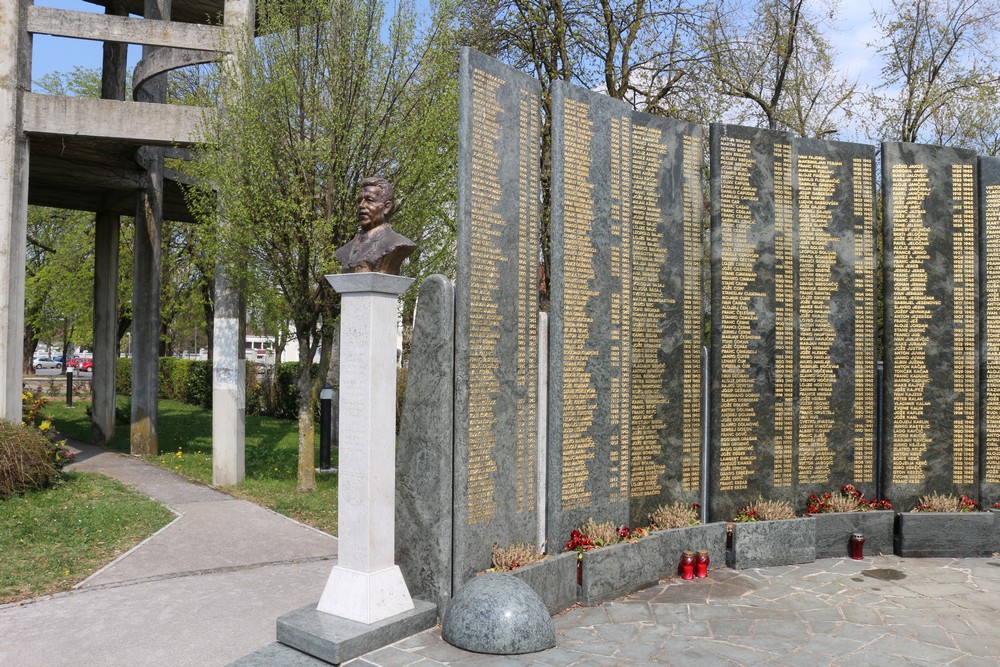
<point>793,317</point>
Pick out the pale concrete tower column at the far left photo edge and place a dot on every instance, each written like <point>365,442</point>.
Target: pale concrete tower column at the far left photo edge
<point>15,77</point>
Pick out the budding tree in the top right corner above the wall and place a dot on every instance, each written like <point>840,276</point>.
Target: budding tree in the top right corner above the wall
<point>938,53</point>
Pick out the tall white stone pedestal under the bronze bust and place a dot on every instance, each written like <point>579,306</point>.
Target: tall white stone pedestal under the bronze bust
<point>366,585</point>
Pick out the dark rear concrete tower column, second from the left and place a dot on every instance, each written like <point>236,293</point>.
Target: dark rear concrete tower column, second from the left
<point>107,231</point>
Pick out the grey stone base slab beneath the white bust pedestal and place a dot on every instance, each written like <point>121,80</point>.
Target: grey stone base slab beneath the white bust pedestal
<point>336,640</point>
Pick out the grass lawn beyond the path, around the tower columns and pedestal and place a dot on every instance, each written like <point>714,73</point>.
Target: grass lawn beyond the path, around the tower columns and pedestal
<point>185,445</point>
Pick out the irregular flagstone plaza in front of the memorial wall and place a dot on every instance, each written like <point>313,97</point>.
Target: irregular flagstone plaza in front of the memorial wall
<point>881,611</point>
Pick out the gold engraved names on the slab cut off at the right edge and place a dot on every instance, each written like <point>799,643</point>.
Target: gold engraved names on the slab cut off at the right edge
<point>991,224</point>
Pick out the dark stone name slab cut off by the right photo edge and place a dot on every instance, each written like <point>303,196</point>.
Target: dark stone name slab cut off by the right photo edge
<point>989,330</point>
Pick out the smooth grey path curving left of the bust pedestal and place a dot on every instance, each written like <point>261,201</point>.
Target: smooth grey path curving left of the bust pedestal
<point>203,591</point>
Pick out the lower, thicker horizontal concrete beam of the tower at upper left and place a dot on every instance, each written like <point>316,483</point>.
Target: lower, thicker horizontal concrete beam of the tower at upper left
<point>143,123</point>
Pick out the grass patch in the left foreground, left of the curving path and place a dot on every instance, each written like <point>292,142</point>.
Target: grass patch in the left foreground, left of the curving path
<point>54,538</point>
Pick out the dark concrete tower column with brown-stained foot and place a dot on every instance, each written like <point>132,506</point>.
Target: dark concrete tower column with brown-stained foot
<point>148,258</point>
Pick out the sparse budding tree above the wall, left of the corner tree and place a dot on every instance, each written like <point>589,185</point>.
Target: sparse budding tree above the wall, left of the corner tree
<point>772,55</point>
